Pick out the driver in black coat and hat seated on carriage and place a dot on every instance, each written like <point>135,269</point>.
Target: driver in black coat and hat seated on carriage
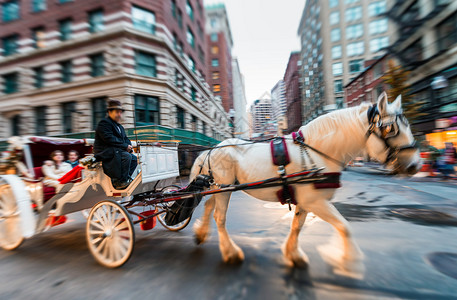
<point>113,147</point>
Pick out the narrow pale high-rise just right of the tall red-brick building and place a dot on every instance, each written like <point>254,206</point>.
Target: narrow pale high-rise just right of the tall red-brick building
<point>240,117</point>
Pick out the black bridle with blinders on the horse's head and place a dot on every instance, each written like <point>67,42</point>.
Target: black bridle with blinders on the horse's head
<point>388,129</point>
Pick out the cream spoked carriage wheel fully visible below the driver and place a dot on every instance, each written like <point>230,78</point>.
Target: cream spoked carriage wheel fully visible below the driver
<point>110,234</point>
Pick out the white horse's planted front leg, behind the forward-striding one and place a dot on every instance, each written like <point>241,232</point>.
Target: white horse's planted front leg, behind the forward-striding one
<point>291,250</point>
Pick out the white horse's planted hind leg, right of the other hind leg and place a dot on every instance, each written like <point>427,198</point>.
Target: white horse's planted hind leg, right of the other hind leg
<point>230,252</point>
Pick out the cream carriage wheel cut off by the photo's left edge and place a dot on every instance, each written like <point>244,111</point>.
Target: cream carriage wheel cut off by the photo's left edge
<point>10,227</point>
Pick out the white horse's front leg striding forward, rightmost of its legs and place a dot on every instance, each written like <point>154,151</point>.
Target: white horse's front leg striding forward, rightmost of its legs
<point>348,259</point>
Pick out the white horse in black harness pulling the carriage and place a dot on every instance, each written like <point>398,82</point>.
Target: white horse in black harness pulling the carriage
<point>341,135</point>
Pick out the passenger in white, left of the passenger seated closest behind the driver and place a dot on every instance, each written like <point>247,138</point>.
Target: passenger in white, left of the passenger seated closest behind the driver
<point>55,169</point>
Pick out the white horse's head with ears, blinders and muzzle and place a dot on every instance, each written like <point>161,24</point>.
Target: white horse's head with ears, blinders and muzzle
<point>390,139</point>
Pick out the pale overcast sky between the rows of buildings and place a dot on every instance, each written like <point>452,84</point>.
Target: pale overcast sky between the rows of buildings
<point>264,33</point>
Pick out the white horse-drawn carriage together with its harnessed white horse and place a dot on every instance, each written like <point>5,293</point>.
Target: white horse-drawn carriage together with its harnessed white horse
<point>282,169</point>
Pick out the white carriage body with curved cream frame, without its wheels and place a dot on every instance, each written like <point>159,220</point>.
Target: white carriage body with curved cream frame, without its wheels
<point>158,167</point>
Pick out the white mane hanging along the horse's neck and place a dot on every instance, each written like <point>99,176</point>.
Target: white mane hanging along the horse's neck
<point>339,126</point>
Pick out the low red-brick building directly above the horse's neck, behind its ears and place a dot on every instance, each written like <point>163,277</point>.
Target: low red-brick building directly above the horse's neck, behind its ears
<point>368,85</point>
